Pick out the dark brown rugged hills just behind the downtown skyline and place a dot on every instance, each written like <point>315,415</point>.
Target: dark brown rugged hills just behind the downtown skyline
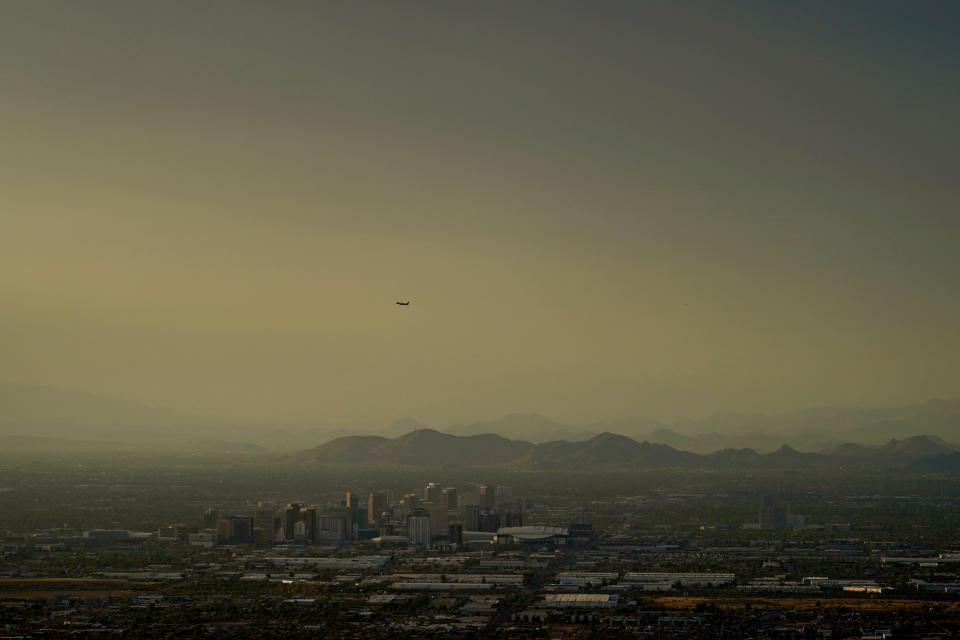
<point>605,452</point>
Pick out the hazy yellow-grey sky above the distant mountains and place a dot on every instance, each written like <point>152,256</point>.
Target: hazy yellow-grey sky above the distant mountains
<point>598,209</point>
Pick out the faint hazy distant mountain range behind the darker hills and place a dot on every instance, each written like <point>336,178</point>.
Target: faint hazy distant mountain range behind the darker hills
<point>29,411</point>
